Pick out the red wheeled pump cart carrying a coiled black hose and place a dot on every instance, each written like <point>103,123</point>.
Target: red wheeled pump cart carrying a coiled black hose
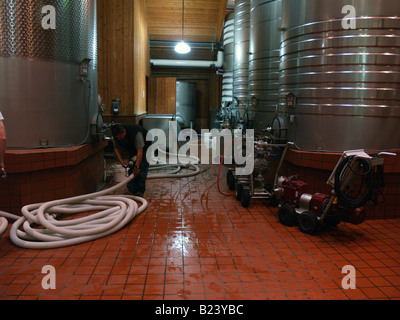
<point>356,180</point>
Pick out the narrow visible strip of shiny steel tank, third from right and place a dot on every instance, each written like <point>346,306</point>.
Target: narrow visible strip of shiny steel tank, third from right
<point>241,56</point>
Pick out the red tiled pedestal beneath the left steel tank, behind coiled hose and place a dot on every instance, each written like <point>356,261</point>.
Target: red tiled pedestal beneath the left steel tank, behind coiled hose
<point>41,175</point>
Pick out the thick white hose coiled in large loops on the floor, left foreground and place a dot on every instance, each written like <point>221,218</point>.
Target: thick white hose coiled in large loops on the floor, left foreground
<point>37,228</point>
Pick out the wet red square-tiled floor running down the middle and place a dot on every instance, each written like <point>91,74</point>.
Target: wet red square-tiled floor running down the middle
<point>194,243</point>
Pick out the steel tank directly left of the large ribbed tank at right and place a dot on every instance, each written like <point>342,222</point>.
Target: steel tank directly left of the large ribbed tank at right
<point>264,45</point>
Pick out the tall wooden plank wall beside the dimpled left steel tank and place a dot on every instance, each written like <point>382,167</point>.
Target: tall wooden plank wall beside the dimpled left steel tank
<point>123,55</point>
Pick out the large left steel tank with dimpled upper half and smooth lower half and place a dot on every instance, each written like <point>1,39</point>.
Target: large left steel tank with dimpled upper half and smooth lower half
<point>43,98</point>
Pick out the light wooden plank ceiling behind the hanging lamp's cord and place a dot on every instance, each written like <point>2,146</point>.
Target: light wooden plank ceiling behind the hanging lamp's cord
<point>204,20</point>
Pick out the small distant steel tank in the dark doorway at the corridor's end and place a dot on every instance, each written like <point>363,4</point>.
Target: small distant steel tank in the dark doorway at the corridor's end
<point>186,103</point>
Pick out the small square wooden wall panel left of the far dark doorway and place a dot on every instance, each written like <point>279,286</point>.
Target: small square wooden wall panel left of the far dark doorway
<point>162,96</point>
